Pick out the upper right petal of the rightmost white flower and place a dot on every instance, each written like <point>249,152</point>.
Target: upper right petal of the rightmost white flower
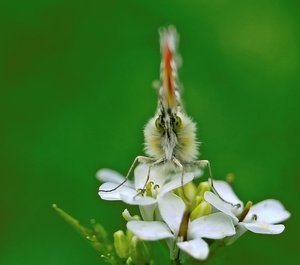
<point>269,211</point>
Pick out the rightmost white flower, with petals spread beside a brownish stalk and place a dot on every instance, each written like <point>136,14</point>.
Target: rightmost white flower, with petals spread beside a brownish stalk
<point>261,218</point>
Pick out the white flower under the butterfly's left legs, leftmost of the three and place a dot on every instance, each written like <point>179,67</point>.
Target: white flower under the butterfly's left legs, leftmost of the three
<point>158,185</point>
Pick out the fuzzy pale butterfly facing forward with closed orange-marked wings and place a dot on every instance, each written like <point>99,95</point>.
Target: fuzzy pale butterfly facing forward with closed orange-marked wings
<point>170,135</point>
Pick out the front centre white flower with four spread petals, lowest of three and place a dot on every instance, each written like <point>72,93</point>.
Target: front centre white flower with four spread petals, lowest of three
<point>172,209</point>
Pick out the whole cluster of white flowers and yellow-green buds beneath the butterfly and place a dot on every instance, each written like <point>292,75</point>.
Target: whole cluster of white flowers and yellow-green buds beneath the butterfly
<point>189,218</point>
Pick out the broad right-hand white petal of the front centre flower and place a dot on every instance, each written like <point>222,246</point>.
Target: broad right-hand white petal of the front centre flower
<point>214,226</point>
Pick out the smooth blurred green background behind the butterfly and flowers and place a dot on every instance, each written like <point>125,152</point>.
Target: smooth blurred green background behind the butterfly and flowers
<point>76,92</point>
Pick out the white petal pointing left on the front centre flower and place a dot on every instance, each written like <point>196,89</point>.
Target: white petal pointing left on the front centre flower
<point>150,230</point>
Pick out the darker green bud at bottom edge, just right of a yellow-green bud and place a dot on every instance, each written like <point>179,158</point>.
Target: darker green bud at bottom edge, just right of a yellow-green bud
<point>140,251</point>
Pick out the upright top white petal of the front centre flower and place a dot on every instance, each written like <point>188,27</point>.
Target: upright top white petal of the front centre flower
<point>171,208</point>
